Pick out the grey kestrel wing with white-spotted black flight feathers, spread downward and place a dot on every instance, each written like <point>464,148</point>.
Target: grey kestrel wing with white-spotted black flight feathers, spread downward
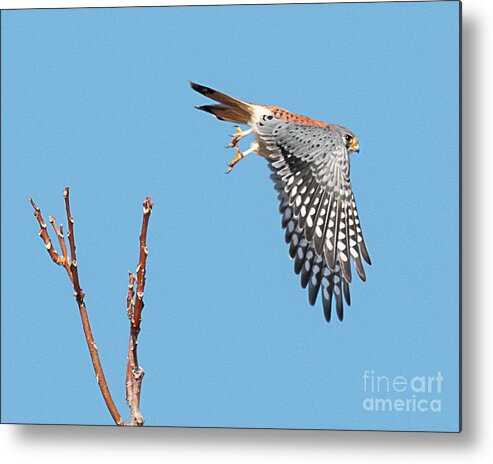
<point>311,174</point>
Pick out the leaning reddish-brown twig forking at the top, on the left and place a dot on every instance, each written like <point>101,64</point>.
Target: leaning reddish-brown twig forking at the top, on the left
<point>71,267</point>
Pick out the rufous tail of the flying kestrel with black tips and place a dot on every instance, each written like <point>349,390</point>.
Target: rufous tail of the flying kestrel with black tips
<point>229,108</point>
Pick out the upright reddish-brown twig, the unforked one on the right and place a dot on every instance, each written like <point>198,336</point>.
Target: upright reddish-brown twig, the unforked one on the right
<point>135,373</point>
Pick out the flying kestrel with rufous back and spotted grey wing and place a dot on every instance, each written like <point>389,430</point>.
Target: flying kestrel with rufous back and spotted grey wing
<point>309,160</point>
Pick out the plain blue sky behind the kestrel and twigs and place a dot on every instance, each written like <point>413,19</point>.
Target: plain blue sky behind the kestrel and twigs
<point>98,99</point>
